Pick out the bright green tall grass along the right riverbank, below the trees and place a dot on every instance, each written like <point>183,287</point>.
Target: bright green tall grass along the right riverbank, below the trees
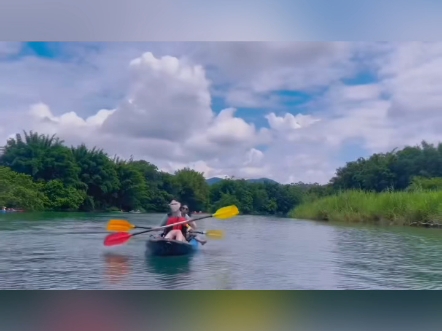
<point>422,208</point>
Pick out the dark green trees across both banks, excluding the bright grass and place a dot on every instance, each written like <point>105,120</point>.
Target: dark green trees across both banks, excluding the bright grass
<point>41,172</point>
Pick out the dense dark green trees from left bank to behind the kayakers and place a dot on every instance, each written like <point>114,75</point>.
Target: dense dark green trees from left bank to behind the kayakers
<point>40,172</point>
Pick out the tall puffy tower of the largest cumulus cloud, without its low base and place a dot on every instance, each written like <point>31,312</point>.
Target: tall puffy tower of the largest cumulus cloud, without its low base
<point>167,100</point>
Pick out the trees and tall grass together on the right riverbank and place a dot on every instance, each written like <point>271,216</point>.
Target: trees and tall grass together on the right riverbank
<point>399,187</point>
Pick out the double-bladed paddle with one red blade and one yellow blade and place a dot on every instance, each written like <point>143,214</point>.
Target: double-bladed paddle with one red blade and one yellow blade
<point>120,238</point>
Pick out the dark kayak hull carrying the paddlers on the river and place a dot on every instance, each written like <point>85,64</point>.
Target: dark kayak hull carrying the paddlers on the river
<point>164,247</point>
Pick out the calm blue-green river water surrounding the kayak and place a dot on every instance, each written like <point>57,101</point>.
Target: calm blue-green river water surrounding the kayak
<point>65,251</point>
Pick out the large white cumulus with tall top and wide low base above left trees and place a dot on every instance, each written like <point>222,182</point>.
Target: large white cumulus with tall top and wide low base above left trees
<point>165,117</point>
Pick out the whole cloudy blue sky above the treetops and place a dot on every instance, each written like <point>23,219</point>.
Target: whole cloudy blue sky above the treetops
<point>289,111</point>
